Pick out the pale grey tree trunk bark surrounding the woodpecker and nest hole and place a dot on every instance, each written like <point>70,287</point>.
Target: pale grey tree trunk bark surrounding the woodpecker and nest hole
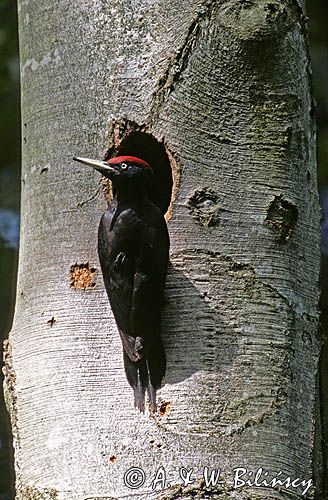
<point>225,84</point>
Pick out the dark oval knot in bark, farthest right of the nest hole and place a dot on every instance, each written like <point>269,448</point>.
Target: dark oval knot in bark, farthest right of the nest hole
<point>282,218</point>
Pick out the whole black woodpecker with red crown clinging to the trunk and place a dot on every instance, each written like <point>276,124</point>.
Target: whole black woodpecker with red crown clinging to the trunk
<point>133,248</point>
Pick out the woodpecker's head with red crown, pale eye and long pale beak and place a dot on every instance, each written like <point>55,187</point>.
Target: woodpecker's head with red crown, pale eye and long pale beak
<point>121,169</point>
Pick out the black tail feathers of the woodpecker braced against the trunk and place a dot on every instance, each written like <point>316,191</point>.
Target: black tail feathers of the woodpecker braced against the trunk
<point>146,374</point>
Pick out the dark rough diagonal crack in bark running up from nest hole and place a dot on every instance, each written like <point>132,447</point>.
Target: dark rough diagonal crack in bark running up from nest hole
<point>178,63</point>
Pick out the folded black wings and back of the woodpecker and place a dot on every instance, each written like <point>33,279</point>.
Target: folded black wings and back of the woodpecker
<point>133,256</point>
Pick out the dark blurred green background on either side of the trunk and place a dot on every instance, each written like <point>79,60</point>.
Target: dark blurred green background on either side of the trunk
<point>317,11</point>
